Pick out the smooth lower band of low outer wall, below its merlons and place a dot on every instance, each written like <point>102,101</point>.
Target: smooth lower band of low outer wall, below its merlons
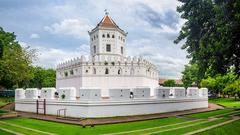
<point>110,108</point>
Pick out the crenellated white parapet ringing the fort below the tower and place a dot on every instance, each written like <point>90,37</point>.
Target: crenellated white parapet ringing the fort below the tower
<point>133,66</point>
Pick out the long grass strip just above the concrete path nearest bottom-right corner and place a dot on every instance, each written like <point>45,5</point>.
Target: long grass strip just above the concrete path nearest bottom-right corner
<point>189,128</point>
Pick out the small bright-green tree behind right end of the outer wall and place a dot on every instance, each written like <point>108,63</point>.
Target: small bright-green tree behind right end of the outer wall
<point>191,75</point>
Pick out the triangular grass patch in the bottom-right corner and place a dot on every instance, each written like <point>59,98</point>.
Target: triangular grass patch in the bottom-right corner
<point>228,129</point>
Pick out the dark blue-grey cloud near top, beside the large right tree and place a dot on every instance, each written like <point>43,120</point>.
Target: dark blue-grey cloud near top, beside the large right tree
<point>168,18</point>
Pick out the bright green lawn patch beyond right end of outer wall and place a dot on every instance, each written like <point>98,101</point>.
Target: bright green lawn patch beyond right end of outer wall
<point>227,102</point>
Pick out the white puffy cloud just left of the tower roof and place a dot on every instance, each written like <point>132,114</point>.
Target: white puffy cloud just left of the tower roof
<point>72,27</point>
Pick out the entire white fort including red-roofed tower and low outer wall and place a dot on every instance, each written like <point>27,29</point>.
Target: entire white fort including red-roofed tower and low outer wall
<point>108,83</point>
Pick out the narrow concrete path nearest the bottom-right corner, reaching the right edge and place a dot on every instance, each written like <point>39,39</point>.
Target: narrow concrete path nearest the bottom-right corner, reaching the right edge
<point>213,126</point>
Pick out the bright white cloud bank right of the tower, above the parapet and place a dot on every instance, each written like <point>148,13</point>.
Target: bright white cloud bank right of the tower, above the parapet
<point>168,64</point>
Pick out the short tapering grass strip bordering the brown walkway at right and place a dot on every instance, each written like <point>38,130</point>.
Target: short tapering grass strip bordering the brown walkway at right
<point>206,115</point>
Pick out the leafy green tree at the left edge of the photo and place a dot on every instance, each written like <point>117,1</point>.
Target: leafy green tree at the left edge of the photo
<point>15,61</point>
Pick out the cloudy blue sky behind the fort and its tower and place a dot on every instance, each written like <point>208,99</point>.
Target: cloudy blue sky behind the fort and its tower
<point>58,29</point>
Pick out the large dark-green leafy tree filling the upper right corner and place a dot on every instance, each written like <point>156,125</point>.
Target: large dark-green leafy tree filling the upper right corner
<point>212,35</point>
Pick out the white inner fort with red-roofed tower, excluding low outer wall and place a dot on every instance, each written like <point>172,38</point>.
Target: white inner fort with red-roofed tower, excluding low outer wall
<point>108,67</point>
